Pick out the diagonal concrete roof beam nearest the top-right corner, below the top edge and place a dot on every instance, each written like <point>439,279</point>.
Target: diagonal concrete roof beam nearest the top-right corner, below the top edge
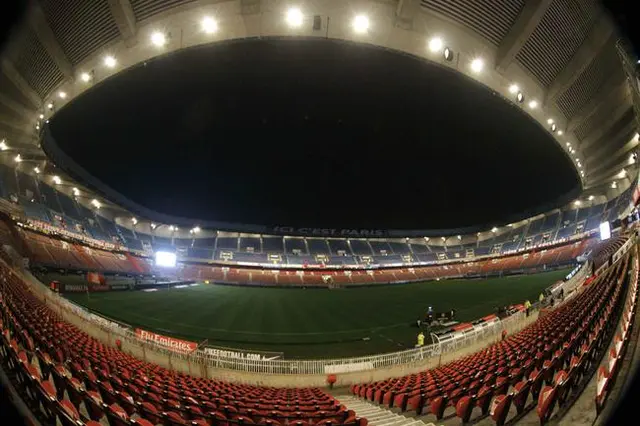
<point>600,36</point>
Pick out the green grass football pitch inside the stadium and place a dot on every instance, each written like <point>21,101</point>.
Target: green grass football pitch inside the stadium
<point>311,323</point>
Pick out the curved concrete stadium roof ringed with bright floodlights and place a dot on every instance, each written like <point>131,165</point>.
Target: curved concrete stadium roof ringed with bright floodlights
<point>562,54</point>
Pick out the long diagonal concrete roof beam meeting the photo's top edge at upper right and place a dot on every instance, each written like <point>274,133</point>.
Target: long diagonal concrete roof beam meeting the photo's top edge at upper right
<point>520,31</point>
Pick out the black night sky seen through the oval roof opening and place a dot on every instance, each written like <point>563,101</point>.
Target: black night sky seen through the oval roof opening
<point>312,133</point>
